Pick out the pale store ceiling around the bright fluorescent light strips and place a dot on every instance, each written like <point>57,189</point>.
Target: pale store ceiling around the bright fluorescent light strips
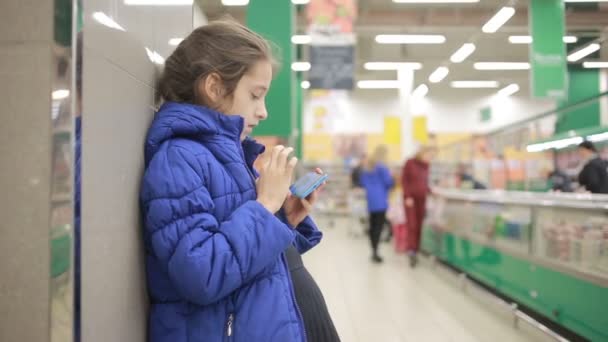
<point>460,23</point>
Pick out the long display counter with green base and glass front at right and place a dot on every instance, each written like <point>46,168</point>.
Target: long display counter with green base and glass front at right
<point>546,251</point>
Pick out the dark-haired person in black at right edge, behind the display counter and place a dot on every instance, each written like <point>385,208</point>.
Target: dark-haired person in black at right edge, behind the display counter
<point>594,175</point>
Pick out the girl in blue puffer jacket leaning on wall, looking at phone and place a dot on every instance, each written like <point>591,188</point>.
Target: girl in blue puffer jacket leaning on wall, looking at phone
<point>216,232</point>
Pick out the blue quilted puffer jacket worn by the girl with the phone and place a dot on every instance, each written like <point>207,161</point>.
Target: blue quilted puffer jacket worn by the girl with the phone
<point>215,264</point>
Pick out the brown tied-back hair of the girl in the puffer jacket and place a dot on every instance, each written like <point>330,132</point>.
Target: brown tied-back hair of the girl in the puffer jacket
<point>224,47</point>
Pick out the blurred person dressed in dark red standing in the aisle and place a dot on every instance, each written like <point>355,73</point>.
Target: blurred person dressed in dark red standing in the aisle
<point>415,182</point>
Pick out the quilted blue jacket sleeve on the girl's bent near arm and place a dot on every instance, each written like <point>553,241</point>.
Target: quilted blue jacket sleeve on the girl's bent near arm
<point>205,260</point>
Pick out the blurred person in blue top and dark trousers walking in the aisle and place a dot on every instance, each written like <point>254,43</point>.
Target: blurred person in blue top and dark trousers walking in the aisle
<point>377,181</point>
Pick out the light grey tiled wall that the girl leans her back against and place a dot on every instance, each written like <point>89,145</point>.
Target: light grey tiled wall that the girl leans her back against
<point>118,100</point>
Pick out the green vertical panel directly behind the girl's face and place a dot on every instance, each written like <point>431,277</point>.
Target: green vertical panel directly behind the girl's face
<point>275,21</point>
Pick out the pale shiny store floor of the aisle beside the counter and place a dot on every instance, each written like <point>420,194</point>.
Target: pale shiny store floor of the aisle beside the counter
<point>393,303</point>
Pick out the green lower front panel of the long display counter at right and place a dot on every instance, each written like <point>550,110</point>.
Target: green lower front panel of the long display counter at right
<point>576,304</point>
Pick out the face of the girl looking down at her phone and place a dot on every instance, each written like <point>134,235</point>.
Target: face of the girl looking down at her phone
<point>249,98</point>
